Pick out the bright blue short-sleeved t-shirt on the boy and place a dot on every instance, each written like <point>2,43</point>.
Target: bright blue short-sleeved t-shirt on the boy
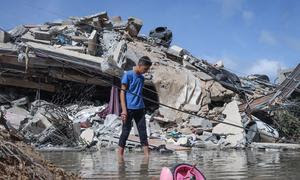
<point>135,83</point>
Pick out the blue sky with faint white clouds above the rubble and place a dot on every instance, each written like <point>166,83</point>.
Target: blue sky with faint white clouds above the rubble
<point>250,36</point>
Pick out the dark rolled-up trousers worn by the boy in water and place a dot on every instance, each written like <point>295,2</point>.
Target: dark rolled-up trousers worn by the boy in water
<point>139,116</point>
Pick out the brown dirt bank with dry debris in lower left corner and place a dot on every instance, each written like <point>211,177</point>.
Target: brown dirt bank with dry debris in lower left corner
<point>19,160</point>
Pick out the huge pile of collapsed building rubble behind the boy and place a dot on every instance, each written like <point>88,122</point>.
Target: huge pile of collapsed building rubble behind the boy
<point>71,65</point>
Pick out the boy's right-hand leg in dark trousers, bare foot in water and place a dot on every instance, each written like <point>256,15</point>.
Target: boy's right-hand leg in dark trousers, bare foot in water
<point>139,117</point>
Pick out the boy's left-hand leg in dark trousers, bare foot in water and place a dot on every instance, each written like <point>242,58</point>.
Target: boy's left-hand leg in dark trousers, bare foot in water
<point>126,127</point>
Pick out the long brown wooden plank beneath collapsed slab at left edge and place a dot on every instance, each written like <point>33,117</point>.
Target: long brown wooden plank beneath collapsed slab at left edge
<point>26,84</point>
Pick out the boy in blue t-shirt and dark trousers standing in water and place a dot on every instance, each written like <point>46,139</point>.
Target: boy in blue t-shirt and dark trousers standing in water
<point>132,104</point>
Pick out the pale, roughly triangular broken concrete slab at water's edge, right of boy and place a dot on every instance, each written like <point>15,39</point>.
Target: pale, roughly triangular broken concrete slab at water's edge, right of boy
<point>235,135</point>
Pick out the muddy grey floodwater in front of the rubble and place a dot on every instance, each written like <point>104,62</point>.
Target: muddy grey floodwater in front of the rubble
<point>215,164</point>
